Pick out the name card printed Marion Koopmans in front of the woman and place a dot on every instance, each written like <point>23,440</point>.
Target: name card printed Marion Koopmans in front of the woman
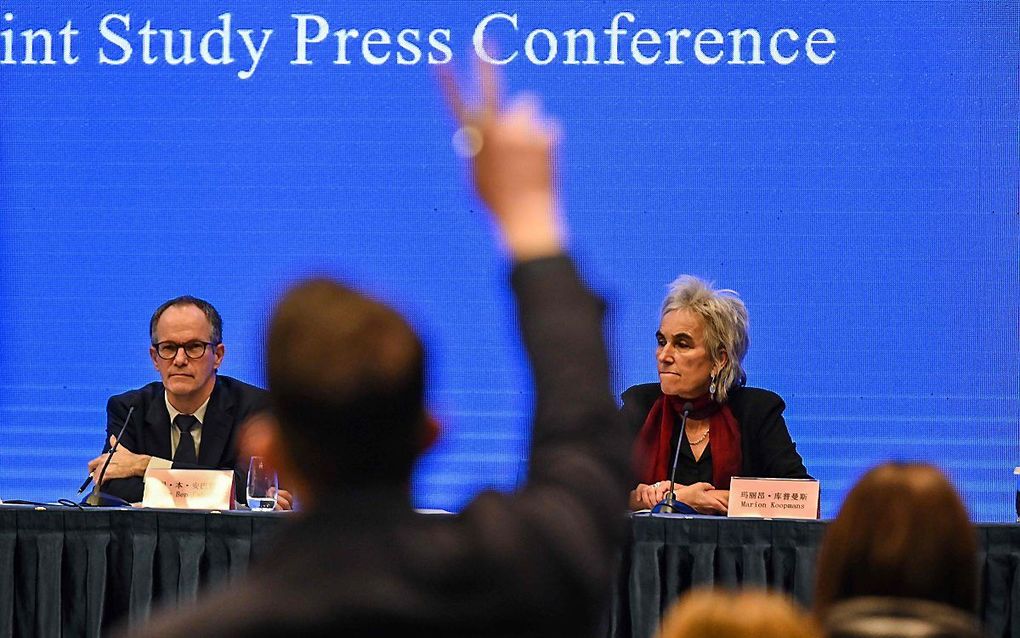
<point>774,499</point>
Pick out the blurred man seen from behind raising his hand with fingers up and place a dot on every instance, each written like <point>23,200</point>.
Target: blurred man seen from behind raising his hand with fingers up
<point>347,383</point>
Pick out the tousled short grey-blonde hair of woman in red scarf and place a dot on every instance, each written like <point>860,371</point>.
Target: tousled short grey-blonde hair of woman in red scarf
<point>726,321</point>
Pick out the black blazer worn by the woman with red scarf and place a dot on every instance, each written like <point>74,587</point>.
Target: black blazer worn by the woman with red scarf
<point>768,450</point>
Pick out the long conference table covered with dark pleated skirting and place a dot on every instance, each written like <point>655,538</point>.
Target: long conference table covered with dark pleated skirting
<point>71,572</point>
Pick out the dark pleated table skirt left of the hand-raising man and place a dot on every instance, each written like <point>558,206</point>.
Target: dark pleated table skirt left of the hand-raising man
<point>66,572</point>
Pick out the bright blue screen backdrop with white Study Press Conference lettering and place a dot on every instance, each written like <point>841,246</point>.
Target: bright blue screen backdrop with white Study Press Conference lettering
<point>850,168</point>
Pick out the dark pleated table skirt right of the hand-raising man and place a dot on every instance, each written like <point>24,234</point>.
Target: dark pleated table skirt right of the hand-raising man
<point>669,555</point>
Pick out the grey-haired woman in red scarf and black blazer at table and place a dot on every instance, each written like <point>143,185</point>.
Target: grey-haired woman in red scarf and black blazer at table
<point>731,430</point>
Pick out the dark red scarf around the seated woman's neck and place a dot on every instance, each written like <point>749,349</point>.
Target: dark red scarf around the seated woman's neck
<point>654,455</point>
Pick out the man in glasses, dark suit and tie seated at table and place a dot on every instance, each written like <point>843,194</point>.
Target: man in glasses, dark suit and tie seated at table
<point>192,418</point>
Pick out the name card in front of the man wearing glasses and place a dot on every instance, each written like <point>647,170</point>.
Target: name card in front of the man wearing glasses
<point>189,489</point>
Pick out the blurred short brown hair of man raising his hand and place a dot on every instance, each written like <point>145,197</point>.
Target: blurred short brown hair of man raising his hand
<point>346,378</point>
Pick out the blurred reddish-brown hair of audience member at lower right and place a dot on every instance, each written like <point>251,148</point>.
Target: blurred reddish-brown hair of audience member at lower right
<point>903,532</point>
